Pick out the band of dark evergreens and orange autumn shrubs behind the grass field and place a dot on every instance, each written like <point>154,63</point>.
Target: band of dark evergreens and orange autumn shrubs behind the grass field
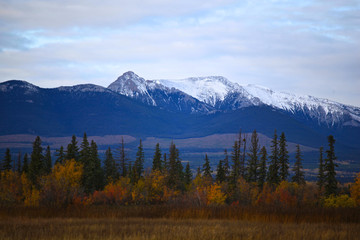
<point>247,176</point>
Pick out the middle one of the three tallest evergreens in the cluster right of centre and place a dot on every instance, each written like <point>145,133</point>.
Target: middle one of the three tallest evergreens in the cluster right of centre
<point>273,174</point>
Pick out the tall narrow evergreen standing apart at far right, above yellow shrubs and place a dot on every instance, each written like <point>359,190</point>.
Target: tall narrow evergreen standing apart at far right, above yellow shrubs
<point>330,183</point>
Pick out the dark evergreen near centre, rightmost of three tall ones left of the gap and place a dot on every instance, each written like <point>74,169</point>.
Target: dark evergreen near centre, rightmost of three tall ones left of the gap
<point>175,174</point>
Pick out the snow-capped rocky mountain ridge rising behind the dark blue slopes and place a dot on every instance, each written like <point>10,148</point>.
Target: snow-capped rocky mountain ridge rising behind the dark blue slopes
<point>218,93</point>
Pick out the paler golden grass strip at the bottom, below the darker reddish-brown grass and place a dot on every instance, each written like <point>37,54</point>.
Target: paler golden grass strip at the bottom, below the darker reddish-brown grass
<point>140,228</point>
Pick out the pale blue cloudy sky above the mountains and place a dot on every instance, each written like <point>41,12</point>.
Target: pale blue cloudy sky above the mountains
<point>303,47</point>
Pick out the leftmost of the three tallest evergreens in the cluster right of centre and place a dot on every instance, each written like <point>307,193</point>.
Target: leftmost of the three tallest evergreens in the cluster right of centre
<point>252,173</point>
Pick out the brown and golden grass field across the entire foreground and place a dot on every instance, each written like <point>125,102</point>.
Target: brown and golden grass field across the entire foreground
<point>167,222</point>
